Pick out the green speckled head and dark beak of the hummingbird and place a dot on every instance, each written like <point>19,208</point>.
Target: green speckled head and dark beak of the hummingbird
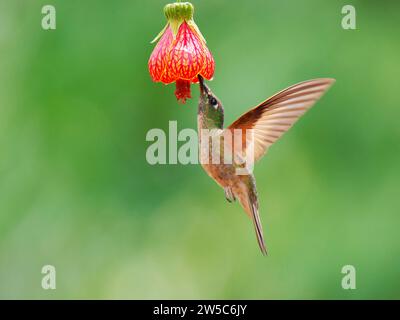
<point>210,106</point>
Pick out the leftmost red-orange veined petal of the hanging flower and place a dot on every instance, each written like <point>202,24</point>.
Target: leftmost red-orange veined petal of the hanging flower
<point>157,61</point>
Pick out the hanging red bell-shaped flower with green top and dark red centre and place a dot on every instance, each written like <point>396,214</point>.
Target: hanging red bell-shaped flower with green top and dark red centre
<point>181,54</point>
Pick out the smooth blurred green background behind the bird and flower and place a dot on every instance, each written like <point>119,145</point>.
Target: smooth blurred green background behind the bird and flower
<point>76,191</point>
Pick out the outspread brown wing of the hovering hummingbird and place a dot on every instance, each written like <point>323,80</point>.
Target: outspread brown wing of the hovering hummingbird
<point>276,115</point>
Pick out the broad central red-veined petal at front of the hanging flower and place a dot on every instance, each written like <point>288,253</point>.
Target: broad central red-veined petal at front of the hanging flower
<point>186,58</point>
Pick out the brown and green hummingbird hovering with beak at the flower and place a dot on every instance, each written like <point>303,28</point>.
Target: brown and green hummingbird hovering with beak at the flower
<point>267,122</point>
